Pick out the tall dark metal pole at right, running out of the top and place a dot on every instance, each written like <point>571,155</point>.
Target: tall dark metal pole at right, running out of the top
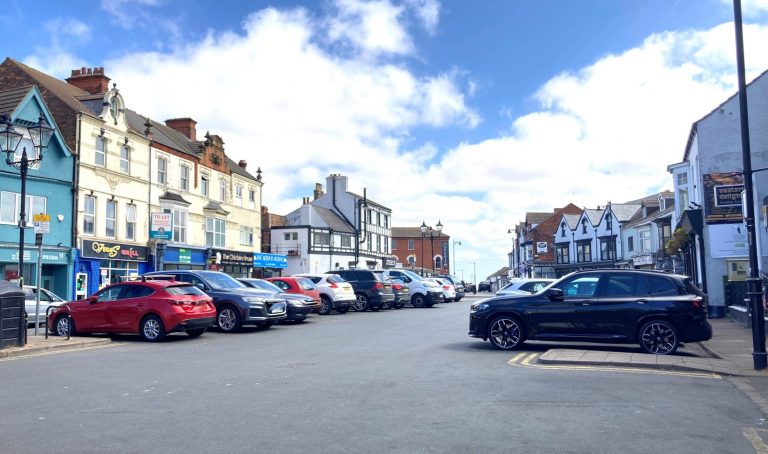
<point>754,284</point>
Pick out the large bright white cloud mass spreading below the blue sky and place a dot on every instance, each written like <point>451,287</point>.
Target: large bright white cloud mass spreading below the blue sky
<point>285,102</point>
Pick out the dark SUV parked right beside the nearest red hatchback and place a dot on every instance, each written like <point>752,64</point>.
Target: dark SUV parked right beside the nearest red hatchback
<point>236,304</point>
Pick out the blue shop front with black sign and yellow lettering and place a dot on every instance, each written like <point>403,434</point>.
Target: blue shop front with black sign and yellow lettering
<point>101,263</point>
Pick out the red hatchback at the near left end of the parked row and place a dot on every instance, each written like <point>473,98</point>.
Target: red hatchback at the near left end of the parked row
<point>151,308</point>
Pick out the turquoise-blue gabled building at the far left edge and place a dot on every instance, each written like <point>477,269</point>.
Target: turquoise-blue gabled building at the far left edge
<point>49,191</point>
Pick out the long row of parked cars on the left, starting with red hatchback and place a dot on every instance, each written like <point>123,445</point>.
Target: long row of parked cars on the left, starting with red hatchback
<point>163,302</point>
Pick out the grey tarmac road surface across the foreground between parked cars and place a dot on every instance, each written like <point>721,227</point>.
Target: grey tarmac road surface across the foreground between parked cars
<point>394,381</point>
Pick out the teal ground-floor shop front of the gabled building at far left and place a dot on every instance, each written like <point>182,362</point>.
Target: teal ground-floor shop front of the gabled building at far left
<point>55,270</point>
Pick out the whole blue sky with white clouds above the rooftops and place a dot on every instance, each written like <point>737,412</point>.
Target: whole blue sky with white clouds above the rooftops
<point>467,113</point>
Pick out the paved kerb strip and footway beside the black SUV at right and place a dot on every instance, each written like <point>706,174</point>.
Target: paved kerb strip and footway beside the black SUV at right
<point>729,353</point>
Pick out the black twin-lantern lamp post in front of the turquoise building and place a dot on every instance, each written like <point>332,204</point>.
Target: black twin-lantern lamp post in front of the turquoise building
<point>40,134</point>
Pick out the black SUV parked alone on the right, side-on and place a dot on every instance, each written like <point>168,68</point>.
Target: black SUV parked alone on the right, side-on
<point>651,308</point>
